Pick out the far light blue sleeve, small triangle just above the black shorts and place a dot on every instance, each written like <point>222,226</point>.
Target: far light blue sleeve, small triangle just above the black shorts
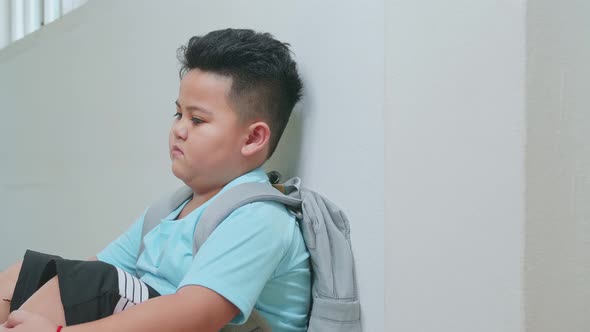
<point>122,252</point>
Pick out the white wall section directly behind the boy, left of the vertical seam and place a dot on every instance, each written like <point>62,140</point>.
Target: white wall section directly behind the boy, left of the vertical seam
<point>86,103</point>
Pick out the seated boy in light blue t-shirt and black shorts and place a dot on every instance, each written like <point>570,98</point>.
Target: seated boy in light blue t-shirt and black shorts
<point>236,94</point>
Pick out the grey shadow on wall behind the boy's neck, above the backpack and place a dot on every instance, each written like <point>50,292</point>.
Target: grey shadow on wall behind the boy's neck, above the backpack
<point>287,157</point>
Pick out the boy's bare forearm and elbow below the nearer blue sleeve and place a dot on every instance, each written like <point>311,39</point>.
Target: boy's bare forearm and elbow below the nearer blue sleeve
<point>192,308</point>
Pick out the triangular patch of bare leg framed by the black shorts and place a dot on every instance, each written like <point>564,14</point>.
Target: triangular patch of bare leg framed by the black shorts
<point>47,302</point>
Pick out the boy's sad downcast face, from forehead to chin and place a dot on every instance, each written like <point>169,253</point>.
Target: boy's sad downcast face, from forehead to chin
<point>206,137</point>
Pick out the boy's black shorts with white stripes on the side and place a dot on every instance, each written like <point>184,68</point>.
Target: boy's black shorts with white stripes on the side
<point>90,290</point>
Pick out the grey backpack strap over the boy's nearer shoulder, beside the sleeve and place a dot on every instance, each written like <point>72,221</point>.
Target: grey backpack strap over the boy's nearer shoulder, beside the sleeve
<point>236,197</point>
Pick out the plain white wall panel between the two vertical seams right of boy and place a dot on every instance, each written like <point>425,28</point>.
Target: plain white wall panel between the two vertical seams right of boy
<point>455,135</point>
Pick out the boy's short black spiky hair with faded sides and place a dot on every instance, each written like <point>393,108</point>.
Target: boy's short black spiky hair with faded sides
<point>265,82</point>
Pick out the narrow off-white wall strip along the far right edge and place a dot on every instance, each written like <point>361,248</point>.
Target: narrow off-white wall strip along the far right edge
<point>558,167</point>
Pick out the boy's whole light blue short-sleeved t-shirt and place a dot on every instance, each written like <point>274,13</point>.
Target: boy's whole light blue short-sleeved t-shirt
<point>255,258</point>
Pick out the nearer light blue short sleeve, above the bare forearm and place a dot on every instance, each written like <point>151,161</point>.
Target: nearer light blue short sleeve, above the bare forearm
<point>240,256</point>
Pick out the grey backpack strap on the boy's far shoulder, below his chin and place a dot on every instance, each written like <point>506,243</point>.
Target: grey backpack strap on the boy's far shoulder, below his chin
<point>160,209</point>
